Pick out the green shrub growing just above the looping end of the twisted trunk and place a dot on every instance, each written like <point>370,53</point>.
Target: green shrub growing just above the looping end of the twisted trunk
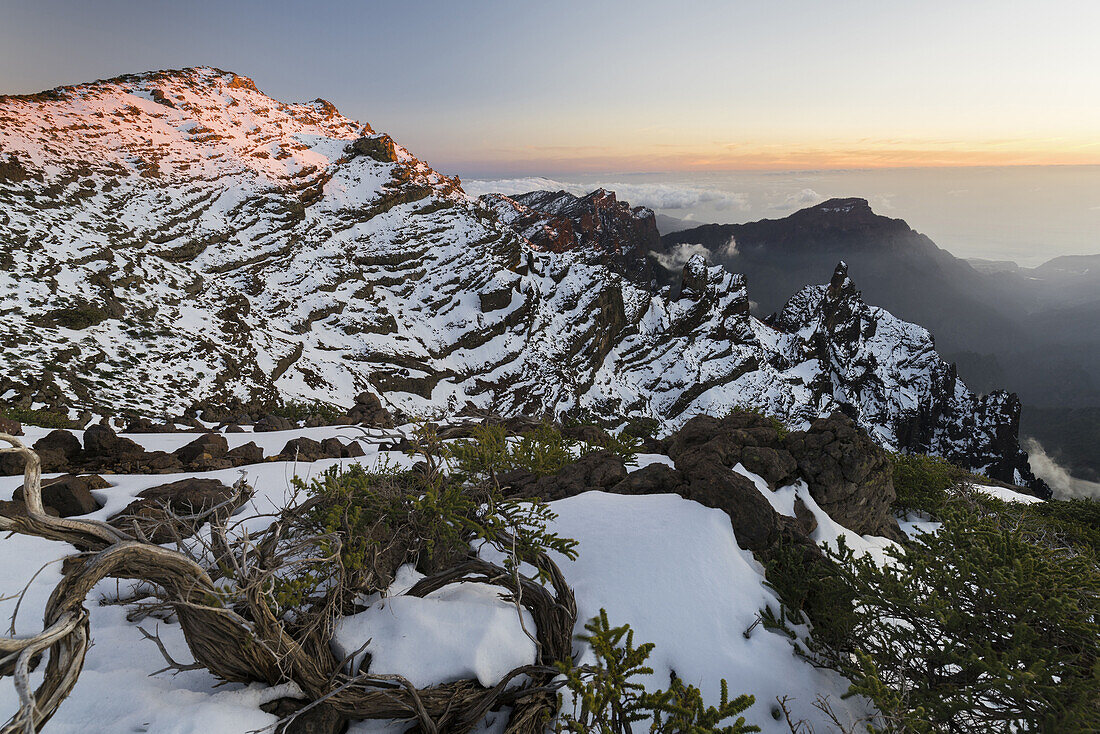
<point>370,523</point>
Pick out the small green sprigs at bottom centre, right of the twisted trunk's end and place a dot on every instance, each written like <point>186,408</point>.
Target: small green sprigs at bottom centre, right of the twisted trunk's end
<point>608,699</point>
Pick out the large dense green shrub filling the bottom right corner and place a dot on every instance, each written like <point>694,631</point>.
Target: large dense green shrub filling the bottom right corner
<point>984,627</point>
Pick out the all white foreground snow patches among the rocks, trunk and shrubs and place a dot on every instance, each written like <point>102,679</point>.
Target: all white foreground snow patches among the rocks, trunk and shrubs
<point>669,567</point>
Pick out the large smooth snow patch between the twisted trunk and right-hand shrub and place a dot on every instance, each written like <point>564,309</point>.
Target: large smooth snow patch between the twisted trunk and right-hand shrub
<point>673,569</point>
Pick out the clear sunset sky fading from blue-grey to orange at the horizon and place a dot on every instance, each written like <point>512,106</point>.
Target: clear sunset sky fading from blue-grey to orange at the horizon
<point>548,89</point>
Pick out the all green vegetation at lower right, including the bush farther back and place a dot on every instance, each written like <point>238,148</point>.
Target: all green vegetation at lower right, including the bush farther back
<point>989,625</point>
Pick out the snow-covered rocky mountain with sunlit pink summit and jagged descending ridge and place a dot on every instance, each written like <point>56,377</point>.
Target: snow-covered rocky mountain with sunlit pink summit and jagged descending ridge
<point>179,236</point>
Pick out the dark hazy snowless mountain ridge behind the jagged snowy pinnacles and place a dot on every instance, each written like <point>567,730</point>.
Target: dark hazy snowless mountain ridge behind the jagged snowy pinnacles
<point>1019,328</point>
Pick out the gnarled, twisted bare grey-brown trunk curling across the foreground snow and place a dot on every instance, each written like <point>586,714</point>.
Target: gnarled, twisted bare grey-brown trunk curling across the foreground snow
<point>246,642</point>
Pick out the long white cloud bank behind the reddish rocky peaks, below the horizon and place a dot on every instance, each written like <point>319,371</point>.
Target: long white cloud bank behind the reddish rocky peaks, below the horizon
<point>655,196</point>
